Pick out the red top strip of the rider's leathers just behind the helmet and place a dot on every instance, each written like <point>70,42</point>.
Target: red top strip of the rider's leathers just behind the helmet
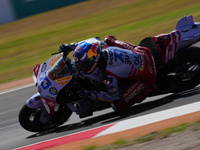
<point>112,41</point>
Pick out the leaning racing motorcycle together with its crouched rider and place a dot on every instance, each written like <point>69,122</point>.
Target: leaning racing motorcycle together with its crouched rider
<point>114,71</point>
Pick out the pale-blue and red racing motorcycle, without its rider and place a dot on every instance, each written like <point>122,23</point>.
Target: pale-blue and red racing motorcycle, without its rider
<point>59,83</point>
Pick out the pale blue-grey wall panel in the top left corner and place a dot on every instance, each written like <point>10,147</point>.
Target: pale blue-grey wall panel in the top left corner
<point>6,12</point>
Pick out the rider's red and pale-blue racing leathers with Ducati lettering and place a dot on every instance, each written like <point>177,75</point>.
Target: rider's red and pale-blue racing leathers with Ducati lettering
<point>122,60</point>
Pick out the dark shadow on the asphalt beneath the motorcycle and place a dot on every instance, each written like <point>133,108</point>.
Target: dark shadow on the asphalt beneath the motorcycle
<point>114,117</point>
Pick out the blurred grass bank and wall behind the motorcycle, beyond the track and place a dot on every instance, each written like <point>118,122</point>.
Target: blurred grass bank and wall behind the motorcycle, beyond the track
<point>30,30</point>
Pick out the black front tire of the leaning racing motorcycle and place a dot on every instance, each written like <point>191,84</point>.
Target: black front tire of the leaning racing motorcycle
<point>34,124</point>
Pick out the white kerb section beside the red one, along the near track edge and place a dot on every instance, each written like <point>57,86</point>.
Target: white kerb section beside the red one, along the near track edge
<point>151,118</point>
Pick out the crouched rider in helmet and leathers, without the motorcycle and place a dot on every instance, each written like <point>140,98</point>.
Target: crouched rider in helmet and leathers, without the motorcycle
<point>112,60</point>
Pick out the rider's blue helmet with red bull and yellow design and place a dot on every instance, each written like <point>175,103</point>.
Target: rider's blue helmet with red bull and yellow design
<point>87,55</point>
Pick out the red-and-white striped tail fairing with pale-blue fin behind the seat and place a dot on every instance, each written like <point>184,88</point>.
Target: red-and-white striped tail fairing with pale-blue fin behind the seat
<point>186,33</point>
